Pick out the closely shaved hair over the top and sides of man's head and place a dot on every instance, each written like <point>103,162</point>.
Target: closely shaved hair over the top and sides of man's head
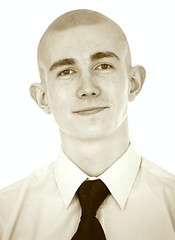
<point>76,18</point>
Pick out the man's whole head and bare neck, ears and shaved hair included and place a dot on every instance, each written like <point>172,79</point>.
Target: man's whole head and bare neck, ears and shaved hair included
<point>88,93</point>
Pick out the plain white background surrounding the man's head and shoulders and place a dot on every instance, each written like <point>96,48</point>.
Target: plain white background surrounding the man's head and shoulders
<point>29,138</point>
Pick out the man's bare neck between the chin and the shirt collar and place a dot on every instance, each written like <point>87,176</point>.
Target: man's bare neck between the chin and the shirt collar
<point>94,156</point>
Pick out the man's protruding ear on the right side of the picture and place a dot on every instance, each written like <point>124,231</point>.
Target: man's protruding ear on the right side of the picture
<point>137,78</point>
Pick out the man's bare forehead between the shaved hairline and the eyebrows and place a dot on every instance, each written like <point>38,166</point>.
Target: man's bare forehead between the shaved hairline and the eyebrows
<point>82,41</point>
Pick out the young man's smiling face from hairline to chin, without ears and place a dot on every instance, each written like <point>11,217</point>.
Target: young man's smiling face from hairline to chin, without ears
<point>87,80</point>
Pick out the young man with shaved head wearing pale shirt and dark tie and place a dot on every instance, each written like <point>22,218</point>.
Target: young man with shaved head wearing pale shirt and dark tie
<point>99,187</point>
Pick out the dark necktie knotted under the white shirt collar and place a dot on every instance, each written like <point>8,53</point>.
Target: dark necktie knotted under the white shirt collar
<point>91,194</point>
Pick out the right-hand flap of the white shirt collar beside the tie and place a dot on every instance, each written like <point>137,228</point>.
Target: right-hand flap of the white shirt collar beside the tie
<point>120,177</point>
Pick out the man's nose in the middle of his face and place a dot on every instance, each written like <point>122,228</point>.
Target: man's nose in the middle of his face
<point>87,89</point>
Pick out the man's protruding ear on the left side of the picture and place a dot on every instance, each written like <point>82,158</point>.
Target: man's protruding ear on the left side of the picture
<point>38,94</point>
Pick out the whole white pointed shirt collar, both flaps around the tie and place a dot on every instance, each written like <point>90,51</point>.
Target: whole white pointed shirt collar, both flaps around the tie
<point>119,178</point>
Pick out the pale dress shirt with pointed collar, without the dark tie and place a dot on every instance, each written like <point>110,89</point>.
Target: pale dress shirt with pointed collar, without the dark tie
<point>44,206</point>
